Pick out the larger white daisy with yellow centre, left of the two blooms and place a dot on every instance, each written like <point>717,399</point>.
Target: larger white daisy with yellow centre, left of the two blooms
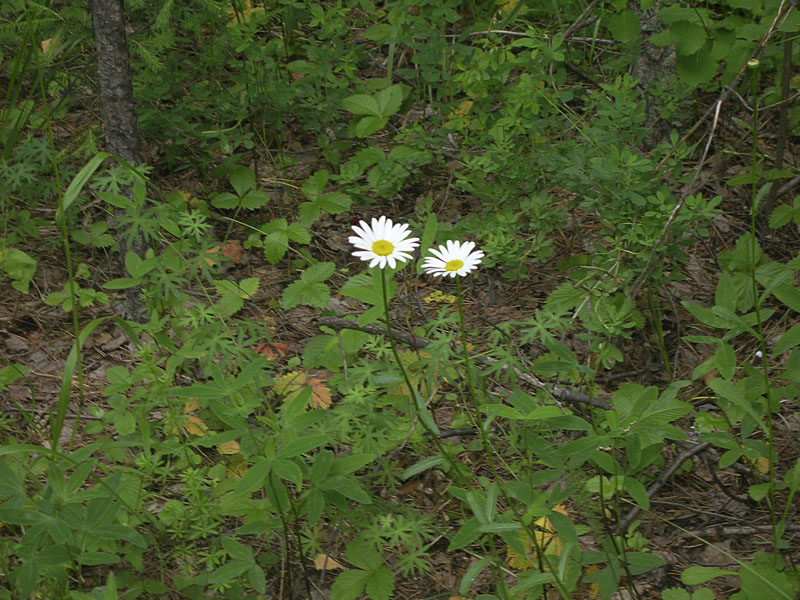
<point>383,242</point>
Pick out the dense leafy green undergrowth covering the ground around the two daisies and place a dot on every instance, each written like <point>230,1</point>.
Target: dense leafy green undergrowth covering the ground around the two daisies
<point>218,464</point>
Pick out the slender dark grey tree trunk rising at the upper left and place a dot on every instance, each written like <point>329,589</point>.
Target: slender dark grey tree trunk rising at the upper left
<point>119,114</point>
